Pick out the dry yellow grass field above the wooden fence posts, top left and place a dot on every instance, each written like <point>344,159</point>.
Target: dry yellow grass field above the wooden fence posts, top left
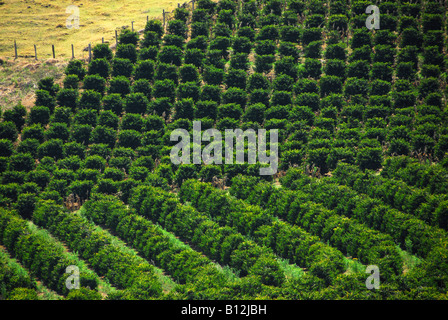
<point>43,23</point>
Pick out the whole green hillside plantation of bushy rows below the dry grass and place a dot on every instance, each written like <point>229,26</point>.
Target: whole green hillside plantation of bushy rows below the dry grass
<point>87,177</point>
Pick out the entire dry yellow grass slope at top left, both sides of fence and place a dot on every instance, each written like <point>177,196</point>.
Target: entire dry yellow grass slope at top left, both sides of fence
<point>43,23</point>
